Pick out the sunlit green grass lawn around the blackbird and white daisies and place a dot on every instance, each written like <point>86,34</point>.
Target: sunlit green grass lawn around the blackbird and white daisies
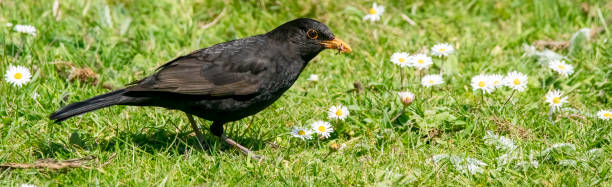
<point>123,41</point>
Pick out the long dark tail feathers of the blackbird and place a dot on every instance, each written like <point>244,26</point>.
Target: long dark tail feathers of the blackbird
<point>94,103</point>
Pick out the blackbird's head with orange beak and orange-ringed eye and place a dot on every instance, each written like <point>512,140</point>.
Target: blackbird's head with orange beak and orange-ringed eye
<point>309,36</point>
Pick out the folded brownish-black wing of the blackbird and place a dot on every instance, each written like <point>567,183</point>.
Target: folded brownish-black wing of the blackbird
<point>228,69</point>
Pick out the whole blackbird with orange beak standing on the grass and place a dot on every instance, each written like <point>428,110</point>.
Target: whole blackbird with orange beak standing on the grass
<point>224,82</point>
